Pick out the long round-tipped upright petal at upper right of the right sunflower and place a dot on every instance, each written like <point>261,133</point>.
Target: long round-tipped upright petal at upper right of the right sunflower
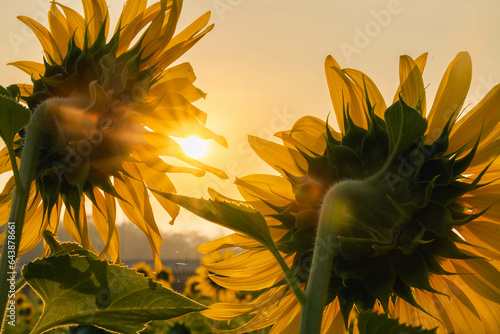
<point>450,95</point>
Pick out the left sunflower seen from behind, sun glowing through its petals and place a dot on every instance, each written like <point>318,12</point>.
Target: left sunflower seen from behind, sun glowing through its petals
<point>114,104</point>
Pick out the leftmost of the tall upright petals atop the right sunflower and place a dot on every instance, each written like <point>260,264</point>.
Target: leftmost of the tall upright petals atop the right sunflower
<point>343,92</point>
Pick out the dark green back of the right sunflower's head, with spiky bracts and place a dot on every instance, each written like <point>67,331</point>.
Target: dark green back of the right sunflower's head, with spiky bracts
<point>391,201</point>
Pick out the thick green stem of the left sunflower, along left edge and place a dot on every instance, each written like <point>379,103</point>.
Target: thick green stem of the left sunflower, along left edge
<point>19,203</point>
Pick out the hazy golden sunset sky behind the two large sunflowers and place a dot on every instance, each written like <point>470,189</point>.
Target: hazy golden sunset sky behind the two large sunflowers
<point>262,65</point>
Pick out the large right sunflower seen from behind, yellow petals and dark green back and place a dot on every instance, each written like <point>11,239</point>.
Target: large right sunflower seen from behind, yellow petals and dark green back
<point>418,221</point>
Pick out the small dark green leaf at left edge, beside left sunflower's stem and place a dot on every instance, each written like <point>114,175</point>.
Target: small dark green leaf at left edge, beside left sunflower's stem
<point>13,117</point>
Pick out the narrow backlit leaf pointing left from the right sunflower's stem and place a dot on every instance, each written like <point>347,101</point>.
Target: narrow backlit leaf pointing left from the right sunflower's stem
<point>237,217</point>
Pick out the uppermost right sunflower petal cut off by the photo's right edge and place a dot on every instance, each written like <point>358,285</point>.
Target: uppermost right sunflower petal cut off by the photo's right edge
<point>482,119</point>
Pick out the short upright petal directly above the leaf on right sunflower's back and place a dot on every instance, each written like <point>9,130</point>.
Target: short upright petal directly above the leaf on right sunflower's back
<point>412,88</point>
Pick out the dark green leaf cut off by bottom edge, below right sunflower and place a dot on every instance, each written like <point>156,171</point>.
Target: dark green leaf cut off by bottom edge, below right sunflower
<point>373,323</point>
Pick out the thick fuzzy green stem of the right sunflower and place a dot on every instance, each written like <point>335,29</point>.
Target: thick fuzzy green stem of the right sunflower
<point>322,263</point>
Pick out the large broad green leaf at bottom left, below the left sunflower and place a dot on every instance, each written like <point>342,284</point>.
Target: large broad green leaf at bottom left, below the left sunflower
<point>84,291</point>
